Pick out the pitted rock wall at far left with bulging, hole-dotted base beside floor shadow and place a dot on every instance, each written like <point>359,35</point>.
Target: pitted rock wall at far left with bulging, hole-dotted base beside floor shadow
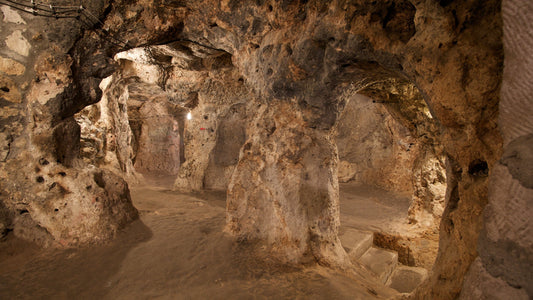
<point>48,194</point>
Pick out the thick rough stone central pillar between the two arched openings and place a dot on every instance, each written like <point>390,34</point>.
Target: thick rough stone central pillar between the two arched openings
<point>284,190</point>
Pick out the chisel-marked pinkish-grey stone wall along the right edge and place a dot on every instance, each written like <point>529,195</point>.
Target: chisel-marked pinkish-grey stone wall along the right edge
<point>503,268</point>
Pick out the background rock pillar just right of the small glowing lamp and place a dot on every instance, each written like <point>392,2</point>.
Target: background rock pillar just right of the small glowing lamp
<point>216,132</point>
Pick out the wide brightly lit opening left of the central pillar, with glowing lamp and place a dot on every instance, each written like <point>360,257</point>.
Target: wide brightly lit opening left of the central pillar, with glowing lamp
<point>169,114</point>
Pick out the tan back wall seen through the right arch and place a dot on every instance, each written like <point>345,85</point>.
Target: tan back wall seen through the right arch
<point>378,148</point>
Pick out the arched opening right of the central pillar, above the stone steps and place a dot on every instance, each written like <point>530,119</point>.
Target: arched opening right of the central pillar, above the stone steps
<point>391,171</point>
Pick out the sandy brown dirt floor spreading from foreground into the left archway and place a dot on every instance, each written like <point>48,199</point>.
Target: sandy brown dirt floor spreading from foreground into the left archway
<point>177,250</point>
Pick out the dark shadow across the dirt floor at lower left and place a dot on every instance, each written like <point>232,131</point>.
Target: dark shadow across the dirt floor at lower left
<point>28,272</point>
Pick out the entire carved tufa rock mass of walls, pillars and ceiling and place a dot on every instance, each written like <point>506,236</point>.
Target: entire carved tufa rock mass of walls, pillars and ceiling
<point>271,87</point>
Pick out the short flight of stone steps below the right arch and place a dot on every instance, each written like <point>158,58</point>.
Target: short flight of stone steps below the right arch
<point>381,262</point>
